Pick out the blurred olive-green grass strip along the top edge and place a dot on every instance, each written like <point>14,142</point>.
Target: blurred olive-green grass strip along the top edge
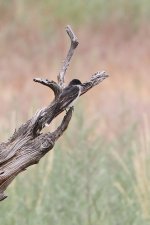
<point>49,13</point>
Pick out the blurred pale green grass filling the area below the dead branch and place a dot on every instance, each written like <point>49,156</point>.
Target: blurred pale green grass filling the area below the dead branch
<point>85,180</point>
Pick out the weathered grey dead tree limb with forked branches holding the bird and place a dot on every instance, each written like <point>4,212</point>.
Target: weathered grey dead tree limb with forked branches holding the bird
<point>28,144</point>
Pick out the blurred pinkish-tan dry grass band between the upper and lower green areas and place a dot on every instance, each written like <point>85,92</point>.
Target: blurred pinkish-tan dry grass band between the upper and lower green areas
<point>120,100</point>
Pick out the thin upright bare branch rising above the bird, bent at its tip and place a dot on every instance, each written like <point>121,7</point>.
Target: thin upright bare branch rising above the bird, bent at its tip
<point>74,44</point>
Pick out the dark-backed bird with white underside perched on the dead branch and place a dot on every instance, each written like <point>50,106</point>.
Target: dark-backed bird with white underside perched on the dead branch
<point>68,97</point>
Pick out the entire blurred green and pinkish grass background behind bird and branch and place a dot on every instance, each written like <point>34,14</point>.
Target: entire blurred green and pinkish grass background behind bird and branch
<point>98,172</point>
